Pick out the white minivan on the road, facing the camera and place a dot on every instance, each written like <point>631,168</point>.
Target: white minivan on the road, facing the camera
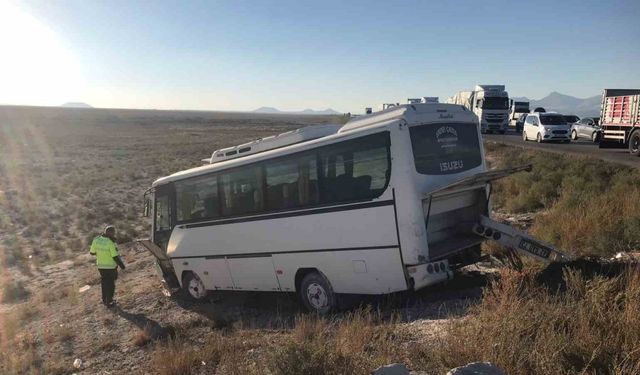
<point>548,126</point>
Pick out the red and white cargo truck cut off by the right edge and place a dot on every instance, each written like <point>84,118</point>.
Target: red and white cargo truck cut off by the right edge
<point>620,119</point>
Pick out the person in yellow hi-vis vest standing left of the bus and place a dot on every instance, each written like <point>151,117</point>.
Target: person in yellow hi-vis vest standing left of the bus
<point>107,259</point>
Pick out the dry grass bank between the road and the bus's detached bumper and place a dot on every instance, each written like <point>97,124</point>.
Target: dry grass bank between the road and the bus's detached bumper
<point>589,207</point>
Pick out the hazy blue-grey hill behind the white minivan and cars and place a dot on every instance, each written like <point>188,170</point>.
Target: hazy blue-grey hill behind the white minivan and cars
<point>566,104</point>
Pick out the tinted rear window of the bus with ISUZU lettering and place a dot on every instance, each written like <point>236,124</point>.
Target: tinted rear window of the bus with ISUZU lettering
<point>445,148</point>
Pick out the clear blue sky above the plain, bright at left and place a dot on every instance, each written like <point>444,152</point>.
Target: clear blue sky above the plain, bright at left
<point>240,55</point>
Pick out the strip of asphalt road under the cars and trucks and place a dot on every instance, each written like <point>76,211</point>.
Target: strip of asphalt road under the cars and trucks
<point>582,147</point>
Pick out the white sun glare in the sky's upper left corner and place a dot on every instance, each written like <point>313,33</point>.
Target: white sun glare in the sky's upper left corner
<point>35,66</point>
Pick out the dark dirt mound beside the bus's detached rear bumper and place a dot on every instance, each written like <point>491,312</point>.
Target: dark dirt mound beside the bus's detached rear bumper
<point>552,276</point>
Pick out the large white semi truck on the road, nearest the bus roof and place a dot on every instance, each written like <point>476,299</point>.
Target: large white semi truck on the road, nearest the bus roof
<point>490,103</point>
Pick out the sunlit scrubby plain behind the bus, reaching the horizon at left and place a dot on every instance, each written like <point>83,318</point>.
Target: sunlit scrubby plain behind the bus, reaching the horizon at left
<point>54,163</point>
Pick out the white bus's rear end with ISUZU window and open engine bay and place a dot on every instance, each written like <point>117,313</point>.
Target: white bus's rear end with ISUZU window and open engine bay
<point>436,225</point>
